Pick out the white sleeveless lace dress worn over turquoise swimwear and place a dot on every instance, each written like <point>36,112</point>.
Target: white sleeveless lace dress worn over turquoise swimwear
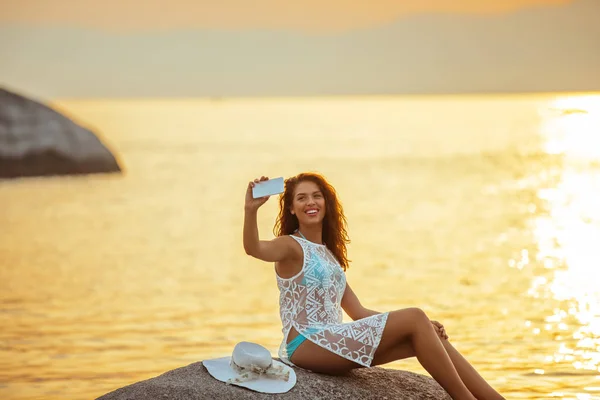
<point>311,301</point>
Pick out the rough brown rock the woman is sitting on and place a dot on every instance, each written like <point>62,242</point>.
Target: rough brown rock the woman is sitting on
<point>194,383</point>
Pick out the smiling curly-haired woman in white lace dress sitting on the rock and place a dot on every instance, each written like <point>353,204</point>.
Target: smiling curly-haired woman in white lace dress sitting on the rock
<point>309,253</point>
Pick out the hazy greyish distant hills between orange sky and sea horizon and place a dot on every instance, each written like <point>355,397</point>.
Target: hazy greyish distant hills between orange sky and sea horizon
<point>533,50</point>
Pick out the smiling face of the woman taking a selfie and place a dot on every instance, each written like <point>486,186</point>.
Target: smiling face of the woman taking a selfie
<point>308,203</point>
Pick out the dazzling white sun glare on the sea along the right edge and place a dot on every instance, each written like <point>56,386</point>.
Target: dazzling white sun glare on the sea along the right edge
<point>568,235</point>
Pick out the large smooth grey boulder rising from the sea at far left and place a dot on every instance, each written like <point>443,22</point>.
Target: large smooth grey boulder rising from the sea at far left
<point>35,140</point>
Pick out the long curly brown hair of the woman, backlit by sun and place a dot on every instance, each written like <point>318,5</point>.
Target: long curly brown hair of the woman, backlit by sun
<point>335,235</point>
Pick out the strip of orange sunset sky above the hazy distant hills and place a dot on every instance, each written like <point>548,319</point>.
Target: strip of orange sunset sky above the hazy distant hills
<point>307,16</point>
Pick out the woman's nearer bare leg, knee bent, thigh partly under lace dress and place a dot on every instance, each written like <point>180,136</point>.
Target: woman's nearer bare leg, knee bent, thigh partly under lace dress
<point>408,324</point>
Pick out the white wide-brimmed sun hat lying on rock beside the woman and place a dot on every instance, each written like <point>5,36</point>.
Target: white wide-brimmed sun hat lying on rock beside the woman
<point>251,366</point>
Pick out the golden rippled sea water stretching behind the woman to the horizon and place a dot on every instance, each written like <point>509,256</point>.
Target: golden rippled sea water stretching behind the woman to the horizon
<point>482,210</point>
